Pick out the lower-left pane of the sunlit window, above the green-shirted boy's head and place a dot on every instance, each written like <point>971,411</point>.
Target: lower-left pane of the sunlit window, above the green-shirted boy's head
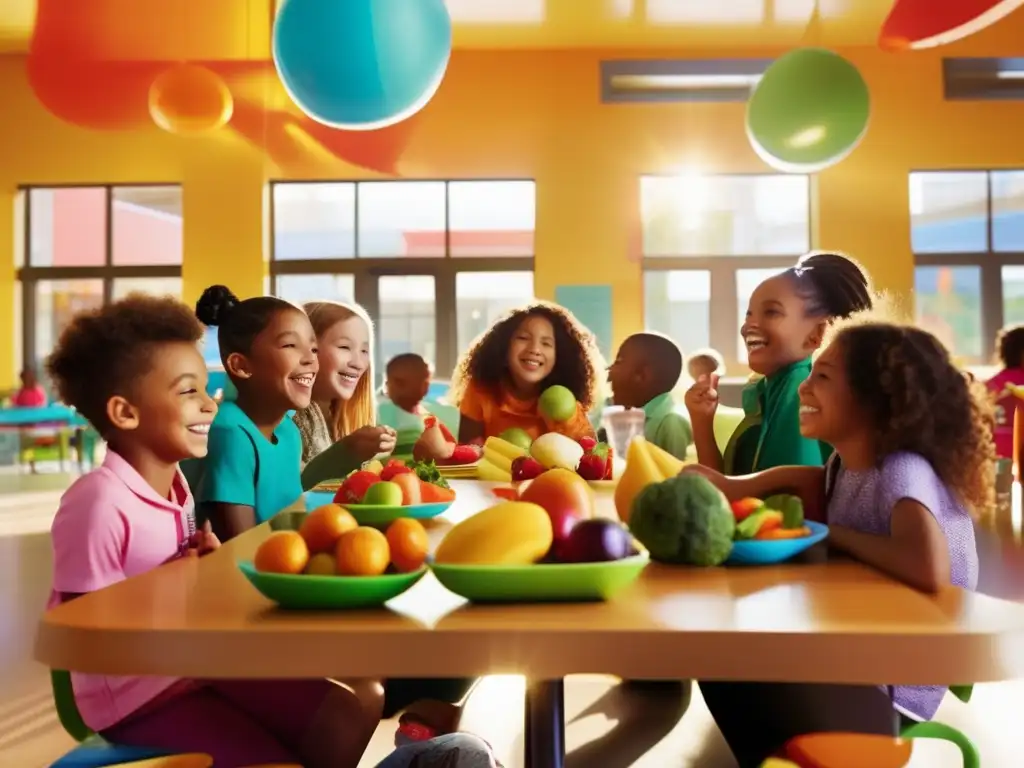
<point>677,304</point>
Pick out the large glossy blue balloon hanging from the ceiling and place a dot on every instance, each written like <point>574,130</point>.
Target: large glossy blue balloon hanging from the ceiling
<point>362,65</point>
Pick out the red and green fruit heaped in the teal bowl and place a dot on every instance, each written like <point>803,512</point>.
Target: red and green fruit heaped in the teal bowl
<point>395,485</point>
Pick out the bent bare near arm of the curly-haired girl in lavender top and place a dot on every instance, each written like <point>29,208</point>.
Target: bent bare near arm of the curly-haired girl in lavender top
<point>915,552</point>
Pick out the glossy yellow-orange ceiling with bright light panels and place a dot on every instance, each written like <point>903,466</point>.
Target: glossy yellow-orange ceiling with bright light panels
<point>240,29</point>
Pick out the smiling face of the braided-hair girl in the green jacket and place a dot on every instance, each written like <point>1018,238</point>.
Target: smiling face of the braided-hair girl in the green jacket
<point>778,331</point>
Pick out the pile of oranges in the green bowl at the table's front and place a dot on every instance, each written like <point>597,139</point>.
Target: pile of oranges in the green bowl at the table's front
<point>331,543</point>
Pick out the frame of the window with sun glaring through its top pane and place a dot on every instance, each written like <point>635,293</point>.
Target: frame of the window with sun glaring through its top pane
<point>724,308</point>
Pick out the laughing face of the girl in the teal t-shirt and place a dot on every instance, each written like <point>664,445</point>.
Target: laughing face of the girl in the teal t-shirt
<point>282,365</point>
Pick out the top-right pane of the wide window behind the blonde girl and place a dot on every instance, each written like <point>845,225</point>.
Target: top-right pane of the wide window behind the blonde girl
<point>492,219</point>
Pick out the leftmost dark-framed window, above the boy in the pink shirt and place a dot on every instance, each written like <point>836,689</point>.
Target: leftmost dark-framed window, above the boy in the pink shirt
<point>89,245</point>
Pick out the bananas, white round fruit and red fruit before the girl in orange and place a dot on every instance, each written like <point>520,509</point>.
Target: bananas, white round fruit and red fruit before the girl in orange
<point>513,457</point>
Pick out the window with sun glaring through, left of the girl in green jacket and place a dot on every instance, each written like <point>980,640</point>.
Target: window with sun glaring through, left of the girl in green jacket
<point>708,241</point>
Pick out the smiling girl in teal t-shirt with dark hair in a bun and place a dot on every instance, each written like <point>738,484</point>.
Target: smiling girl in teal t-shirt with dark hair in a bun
<point>252,471</point>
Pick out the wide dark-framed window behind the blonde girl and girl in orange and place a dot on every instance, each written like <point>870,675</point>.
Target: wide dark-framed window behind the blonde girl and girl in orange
<point>434,263</point>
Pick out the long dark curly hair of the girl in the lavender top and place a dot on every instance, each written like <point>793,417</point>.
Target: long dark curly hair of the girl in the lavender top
<point>923,404</point>
